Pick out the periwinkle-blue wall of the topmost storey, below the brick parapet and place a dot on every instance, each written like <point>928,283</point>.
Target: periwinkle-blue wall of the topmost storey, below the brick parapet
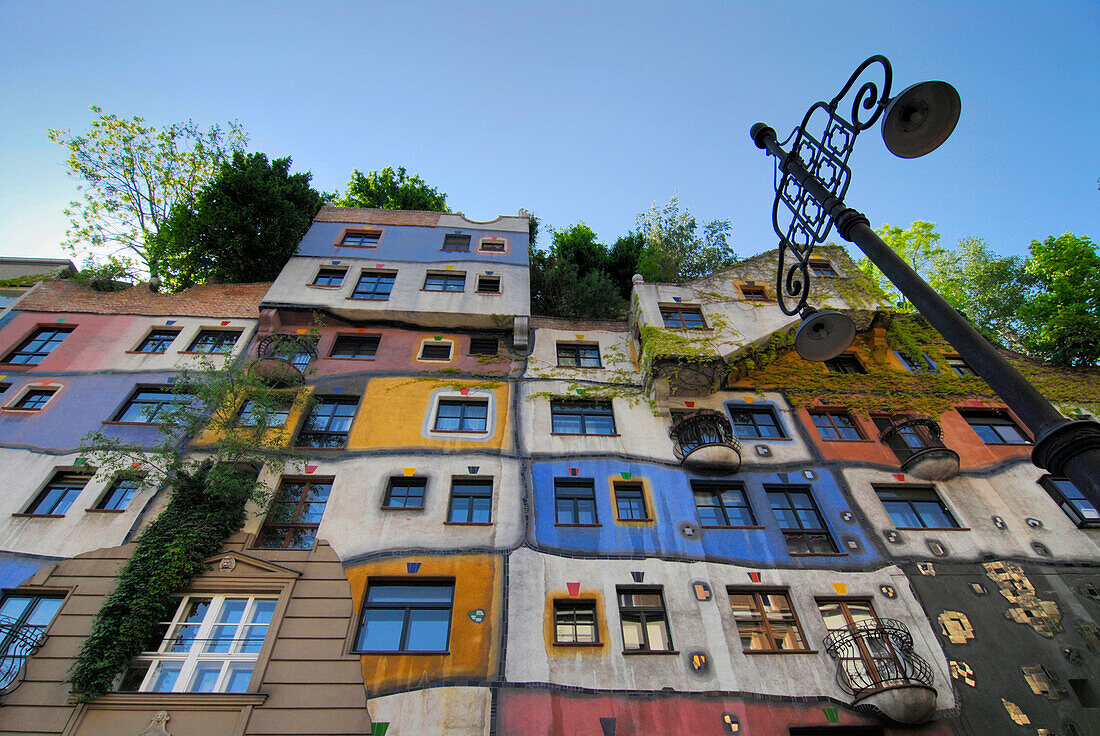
<point>411,244</point>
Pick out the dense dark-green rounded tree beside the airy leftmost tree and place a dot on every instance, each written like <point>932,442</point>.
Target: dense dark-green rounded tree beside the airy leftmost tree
<point>244,227</point>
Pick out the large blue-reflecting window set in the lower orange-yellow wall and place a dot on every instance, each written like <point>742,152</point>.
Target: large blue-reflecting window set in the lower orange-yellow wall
<point>406,617</point>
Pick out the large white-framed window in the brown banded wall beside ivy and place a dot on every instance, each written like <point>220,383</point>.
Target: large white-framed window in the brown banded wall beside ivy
<point>212,646</point>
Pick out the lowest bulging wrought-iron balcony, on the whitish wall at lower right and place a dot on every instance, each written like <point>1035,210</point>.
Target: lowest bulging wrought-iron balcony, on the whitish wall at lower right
<point>877,666</point>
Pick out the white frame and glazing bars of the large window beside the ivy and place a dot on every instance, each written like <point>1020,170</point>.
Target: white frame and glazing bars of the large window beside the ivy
<point>192,660</point>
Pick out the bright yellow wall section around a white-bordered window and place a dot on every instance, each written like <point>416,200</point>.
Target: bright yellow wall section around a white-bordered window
<point>394,411</point>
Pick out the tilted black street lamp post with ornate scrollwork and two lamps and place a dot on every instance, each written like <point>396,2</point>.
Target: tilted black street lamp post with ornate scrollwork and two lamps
<point>812,181</point>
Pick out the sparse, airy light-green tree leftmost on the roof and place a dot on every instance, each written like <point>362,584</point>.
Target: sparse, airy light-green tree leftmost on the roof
<point>131,175</point>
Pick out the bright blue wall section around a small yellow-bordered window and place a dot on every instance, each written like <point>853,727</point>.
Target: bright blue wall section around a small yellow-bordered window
<point>674,503</point>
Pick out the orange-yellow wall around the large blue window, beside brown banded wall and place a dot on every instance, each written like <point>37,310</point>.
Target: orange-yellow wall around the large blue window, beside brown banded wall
<point>475,649</point>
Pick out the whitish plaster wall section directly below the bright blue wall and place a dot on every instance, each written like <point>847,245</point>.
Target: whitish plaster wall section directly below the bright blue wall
<point>708,627</point>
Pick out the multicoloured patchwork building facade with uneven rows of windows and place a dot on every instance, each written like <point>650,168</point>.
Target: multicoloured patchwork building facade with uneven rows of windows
<point>505,524</point>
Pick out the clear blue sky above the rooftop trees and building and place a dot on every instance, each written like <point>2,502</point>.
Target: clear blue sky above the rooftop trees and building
<point>574,111</point>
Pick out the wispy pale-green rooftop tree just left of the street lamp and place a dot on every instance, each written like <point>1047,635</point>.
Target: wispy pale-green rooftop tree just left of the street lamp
<point>675,252</point>
